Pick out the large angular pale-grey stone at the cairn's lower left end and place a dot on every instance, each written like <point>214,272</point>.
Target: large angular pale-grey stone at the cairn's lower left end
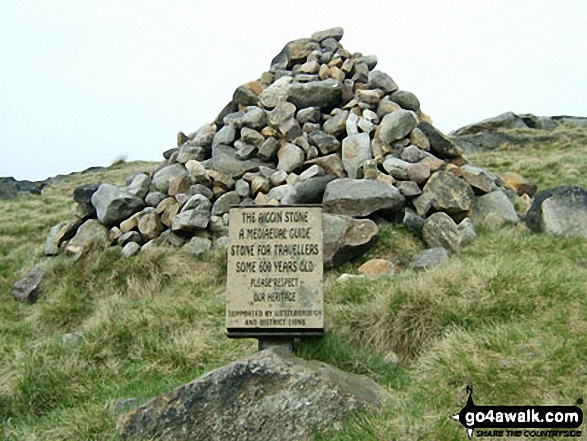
<point>114,205</point>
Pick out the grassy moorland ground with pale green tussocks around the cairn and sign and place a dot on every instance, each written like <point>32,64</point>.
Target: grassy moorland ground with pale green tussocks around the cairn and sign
<point>507,315</point>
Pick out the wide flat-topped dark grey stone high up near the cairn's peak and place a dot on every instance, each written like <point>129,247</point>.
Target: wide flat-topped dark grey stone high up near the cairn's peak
<point>327,93</point>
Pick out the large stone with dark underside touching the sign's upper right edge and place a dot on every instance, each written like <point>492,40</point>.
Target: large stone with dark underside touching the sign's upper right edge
<point>346,238</point>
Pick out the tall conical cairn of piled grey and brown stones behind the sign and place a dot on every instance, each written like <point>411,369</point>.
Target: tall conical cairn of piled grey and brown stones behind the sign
<point>322,126</point>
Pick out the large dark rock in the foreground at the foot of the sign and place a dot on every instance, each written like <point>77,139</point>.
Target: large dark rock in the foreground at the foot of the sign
<point>271,395</point>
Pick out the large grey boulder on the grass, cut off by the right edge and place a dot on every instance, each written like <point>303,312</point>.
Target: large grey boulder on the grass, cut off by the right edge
<point>560,211</point>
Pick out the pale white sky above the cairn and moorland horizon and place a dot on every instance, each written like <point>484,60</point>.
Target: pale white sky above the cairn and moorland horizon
<point>85,82</point>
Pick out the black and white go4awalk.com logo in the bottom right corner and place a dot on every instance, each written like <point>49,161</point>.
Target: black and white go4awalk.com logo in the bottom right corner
<point>520,421</point>
